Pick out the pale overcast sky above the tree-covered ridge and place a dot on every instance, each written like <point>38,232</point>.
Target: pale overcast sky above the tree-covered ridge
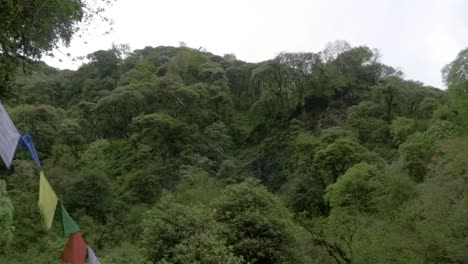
<point>418,36</point>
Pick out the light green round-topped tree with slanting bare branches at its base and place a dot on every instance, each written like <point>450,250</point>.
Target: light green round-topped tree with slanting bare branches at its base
<point>352,198</point>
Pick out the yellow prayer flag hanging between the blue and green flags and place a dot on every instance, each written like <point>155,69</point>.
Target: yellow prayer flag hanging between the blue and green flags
<point>47,201</point>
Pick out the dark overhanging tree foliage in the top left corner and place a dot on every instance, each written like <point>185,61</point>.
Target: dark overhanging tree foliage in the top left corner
<point>30,29</point>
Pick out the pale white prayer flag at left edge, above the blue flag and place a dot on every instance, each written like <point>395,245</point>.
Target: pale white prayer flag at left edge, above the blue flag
<point>9,137</point>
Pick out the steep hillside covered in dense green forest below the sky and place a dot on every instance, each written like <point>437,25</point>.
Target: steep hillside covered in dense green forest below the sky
<point>176,155</point>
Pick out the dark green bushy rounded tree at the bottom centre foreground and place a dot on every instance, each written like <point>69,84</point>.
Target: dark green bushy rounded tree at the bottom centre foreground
<point>257,224</point>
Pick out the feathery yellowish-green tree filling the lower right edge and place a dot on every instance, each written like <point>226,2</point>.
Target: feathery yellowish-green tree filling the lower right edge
<point>440,200</point>
